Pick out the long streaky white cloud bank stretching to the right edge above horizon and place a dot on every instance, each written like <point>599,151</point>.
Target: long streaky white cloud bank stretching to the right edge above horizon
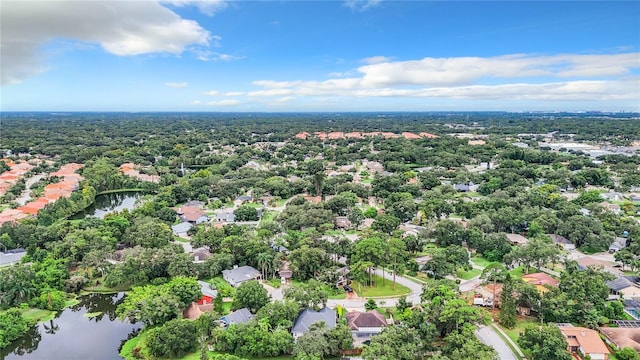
<point>514,77</point>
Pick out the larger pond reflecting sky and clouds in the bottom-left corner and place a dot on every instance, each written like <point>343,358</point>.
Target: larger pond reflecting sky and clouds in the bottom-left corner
<point>72,335</point>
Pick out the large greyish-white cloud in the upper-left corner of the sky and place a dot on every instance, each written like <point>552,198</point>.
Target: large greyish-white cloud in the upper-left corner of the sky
<point>121,28</point>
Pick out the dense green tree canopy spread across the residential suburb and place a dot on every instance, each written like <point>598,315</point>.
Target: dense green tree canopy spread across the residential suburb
<point>437,211</point>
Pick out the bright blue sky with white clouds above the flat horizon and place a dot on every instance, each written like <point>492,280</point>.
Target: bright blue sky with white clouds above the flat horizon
<point>370,55</point>
